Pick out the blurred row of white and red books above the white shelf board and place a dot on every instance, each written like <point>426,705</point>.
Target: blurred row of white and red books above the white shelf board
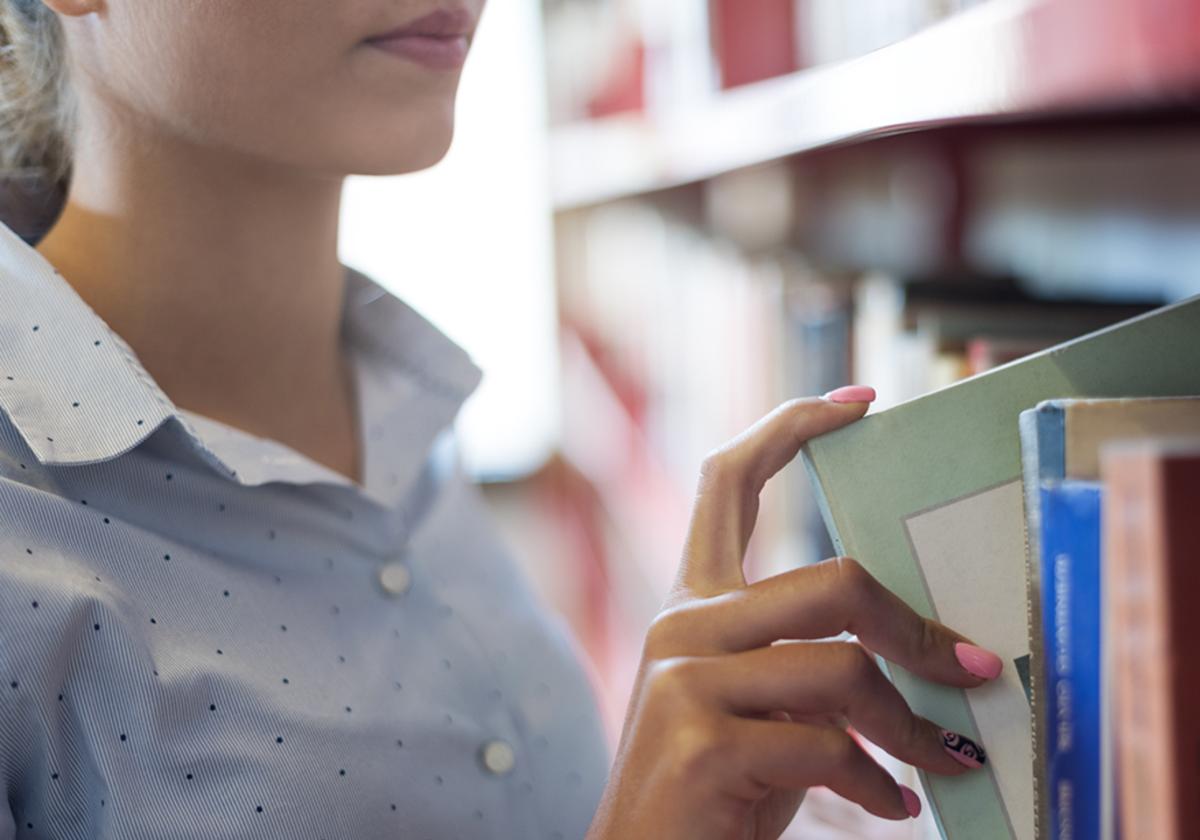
<point>608,57</point>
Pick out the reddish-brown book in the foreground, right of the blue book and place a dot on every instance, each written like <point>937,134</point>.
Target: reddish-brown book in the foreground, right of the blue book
<point>1151,584</point>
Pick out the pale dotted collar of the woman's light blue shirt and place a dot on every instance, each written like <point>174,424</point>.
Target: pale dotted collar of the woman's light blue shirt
<point>79,395</point>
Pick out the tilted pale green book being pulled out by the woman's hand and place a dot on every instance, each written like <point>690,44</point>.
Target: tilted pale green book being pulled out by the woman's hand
<point>928,496</point>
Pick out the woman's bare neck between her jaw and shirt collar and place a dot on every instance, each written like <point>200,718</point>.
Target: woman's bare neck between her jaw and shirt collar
<point>221,273</point>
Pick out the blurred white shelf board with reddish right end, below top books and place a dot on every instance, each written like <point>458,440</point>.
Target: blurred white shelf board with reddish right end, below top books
<point>1007,59</point>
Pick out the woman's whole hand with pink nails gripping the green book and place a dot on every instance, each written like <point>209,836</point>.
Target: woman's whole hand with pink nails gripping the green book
<point>731,718</point>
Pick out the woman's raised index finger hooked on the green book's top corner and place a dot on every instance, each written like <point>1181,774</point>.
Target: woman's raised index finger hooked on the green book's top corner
<point>733,477</point>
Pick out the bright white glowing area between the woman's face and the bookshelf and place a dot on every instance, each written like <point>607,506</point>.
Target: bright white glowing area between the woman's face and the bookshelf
<point>469,245</point>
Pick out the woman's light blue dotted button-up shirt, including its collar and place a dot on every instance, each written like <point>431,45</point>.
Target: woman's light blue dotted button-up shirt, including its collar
<point>206,634</point>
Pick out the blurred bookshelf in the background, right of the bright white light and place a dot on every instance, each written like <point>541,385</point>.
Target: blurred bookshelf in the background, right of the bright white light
<point>989,182</point>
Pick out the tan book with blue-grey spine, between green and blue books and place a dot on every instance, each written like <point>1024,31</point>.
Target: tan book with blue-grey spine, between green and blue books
<point>1061,440</point>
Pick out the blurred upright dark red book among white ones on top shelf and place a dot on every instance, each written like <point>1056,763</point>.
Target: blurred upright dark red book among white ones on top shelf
<point>754,40</point>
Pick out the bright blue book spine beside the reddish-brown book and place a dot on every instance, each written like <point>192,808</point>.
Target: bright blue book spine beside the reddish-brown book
<point>1071,626</point>
